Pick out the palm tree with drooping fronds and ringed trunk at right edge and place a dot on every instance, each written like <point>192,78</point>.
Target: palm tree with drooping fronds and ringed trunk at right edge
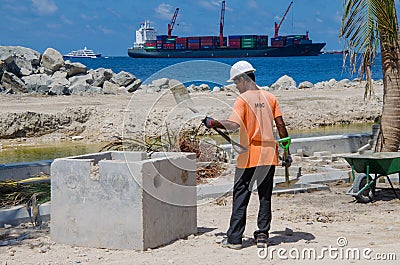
<point>368,25</point>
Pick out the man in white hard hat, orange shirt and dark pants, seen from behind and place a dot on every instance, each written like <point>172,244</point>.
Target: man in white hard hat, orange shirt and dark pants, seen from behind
<point>254,113</point>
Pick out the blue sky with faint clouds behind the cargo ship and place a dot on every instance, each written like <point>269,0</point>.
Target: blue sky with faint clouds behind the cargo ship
<point>108,26</point>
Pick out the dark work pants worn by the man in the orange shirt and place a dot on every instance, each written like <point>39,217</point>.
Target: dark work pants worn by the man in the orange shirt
<point>244,180</point>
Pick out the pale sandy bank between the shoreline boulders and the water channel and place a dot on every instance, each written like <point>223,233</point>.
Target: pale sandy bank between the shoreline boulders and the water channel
<point>132,115</point>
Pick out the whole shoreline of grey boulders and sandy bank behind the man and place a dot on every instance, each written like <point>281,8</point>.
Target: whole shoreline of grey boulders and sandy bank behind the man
<point>45,97</point>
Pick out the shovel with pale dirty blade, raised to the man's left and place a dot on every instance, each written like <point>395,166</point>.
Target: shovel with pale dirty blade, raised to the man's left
<point>181,95</point>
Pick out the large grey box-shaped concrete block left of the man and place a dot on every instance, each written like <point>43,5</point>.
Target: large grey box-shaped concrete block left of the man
<point>124,201</point>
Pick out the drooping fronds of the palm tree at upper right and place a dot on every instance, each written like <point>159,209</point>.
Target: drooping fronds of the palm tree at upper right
<point>366,26</point>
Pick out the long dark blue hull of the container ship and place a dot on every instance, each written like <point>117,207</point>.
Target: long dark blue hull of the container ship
<point>312,49</point>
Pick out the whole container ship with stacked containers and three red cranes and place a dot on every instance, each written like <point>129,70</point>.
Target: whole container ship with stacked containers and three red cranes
<point>150,45</point>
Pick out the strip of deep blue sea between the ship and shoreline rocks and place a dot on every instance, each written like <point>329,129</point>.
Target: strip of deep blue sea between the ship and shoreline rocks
<point>216,71</point>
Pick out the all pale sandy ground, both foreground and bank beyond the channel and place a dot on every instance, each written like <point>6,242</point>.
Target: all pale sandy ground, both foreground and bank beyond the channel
<point>324,219</point>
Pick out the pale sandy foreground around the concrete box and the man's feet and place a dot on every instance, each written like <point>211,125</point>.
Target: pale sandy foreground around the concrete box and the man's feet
<point>324,219</point>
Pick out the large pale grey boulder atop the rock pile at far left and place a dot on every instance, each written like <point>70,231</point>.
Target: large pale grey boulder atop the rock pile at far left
<point>26,59</point>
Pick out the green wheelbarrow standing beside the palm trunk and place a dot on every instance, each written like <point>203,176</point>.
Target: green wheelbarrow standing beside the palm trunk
<point>371,167</point>
